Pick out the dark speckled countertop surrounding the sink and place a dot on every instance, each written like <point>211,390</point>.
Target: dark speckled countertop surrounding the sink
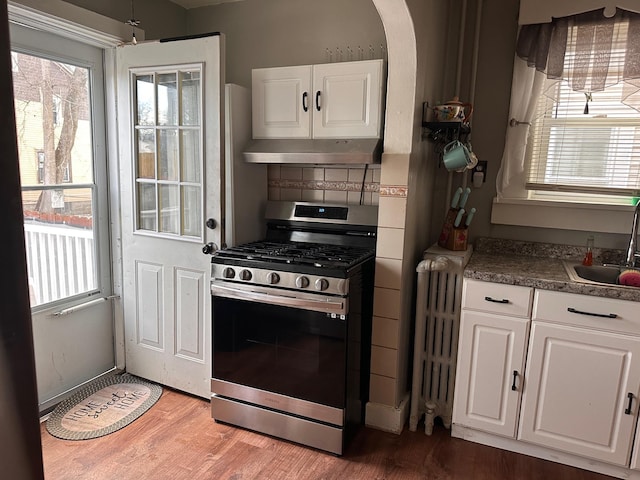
<point>539,265</point>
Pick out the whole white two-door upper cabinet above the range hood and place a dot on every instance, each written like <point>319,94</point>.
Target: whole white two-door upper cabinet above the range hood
<point>334,100</point>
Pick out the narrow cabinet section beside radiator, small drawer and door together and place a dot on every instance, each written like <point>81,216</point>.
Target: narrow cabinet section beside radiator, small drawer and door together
<point>494,325</point>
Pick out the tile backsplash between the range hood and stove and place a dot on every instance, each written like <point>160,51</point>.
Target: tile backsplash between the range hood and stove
<point>335,184</point>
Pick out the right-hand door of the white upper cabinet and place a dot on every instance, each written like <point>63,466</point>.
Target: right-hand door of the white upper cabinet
<point>347,99</point>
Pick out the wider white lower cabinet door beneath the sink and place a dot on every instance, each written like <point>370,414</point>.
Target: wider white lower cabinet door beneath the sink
<point>576,391</point>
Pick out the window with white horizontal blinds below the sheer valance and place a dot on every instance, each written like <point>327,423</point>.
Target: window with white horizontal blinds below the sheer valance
<point>585,144</point>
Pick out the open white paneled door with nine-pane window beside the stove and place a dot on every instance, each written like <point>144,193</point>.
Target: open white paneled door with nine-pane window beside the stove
<point>171,134</point>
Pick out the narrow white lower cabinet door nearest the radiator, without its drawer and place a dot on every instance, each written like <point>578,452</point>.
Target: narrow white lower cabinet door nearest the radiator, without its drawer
<point>487,394</point>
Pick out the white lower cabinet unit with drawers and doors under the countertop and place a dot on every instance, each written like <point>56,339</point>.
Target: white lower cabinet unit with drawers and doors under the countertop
<point>558,380</point>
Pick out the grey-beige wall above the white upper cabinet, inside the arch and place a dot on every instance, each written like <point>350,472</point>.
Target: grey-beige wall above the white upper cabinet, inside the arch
<point>274,33</point>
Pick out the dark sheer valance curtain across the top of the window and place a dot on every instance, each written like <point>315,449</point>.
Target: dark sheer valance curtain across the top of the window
<point>588,50</point>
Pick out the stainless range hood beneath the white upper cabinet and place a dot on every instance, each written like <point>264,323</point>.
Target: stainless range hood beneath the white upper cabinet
<point>317,151</point>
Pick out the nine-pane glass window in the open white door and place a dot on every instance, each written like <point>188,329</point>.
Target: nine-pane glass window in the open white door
<point>169,153</point>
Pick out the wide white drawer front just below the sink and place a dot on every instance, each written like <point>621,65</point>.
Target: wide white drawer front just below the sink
<point>608,314</point>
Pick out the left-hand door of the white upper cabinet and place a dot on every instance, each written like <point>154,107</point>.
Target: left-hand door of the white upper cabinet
<point>281,102</point>
